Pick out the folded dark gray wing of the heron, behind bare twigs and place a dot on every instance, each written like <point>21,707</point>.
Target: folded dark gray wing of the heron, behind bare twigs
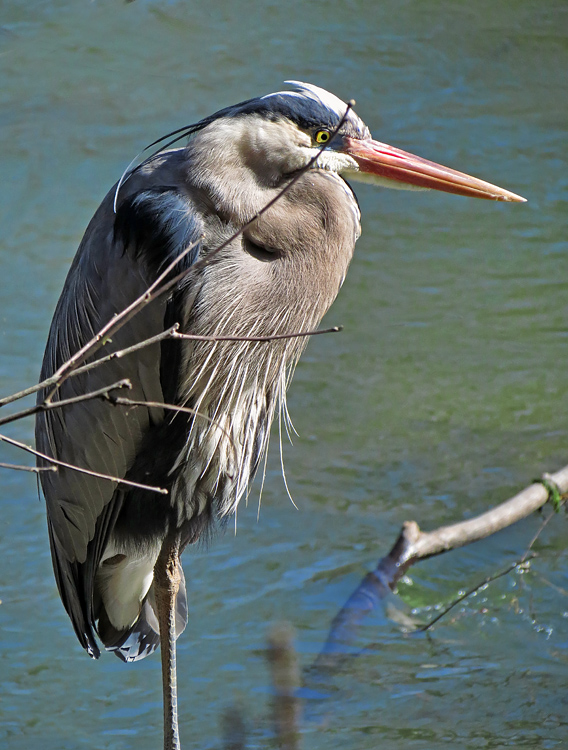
<point>119,257</point>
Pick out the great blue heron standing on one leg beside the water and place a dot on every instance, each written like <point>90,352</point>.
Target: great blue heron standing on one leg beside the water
<point>115,547</point>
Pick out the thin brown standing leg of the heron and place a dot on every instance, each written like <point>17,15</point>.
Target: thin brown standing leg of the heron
<point>166,585</point>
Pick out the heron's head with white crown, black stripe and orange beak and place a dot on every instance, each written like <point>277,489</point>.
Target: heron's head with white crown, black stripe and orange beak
<point>280,133</point>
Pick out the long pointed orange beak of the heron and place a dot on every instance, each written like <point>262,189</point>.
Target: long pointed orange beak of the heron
<point>391,163</point>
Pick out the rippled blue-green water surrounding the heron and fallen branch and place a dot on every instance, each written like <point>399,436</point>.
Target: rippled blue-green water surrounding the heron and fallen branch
<point>444,394</point>
